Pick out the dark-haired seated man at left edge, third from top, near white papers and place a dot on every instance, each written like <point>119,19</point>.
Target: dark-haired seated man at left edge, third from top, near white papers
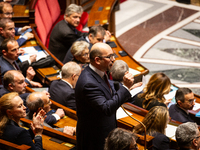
<point>8,61</point>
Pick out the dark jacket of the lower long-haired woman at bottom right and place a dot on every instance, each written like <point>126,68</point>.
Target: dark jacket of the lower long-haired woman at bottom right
<point>160,141</point>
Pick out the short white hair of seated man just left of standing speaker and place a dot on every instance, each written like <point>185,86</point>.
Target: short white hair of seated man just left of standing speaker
<point>69,69</point>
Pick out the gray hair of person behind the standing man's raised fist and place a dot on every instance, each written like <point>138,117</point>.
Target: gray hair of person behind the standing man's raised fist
<point>118,70</point>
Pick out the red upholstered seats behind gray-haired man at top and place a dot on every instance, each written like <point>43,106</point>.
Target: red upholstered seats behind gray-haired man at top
<point>47,14</point>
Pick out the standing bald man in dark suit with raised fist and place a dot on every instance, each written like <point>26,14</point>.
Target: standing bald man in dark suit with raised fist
<point>96,100</point>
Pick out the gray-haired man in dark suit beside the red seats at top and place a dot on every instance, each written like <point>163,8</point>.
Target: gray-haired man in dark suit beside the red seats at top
<point>65,33</point>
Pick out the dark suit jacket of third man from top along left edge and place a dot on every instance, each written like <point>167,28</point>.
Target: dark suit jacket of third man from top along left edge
<point>5,66</point>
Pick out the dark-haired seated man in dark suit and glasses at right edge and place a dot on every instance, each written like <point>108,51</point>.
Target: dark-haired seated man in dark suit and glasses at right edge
<point>184,101</point>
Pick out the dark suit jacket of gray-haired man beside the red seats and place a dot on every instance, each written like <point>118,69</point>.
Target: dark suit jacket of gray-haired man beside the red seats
<point>61,39</point>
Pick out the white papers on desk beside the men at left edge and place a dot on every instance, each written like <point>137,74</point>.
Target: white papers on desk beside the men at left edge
<point>32,51</point>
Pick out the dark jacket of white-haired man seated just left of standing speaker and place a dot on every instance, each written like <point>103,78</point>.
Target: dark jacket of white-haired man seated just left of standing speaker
<point>62,93</point>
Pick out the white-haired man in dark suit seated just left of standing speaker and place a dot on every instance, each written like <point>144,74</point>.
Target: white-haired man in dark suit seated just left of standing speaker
<point>62,91</point>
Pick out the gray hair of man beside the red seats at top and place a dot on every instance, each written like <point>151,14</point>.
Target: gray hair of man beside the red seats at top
<point>73,8</point>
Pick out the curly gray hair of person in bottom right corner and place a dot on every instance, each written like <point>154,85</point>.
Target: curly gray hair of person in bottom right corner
<point>185,133</point>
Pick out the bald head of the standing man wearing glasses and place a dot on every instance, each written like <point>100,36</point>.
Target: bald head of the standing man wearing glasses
<point>102,56</point>
